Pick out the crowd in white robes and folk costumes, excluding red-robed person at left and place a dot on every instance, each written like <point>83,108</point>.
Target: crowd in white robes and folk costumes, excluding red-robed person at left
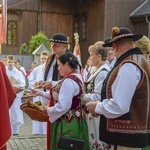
<point>105,109</point>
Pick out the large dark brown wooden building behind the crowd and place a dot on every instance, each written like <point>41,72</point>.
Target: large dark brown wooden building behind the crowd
<point>92,19</point>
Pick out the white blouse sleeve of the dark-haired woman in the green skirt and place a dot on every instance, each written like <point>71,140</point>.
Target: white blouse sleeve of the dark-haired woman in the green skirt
<point>68,90</point>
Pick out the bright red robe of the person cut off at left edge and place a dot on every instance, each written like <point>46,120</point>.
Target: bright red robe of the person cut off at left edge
<point>7,96</point>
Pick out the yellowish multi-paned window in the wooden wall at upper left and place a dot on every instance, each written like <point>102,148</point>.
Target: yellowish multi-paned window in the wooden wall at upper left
<point>12,33</point>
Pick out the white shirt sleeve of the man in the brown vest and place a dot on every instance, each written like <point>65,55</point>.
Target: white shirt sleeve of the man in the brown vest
<point>123,90</point>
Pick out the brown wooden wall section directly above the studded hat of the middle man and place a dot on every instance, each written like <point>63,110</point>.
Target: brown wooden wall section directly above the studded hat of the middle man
<point>56,16</point>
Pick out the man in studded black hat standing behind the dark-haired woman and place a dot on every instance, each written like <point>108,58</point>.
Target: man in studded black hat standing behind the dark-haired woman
<point>59,46</point>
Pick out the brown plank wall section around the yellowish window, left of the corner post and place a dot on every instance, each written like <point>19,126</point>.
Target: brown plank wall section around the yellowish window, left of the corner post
<point>26,28</point>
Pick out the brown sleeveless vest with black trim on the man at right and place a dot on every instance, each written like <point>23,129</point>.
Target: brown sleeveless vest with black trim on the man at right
<point>131,129</point>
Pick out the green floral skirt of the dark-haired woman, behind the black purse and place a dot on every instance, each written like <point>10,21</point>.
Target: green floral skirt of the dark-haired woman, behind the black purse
<point>75,128</point>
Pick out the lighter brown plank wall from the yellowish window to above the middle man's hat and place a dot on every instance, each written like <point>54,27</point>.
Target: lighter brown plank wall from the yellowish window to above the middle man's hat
<point>33,16</point>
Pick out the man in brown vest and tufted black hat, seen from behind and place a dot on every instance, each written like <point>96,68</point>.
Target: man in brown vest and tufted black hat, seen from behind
<point>125,105</point>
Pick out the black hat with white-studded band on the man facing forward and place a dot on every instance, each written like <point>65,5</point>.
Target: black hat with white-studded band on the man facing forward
<point>59,38</point>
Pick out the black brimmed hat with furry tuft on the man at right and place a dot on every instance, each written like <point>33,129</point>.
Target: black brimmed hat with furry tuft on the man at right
<point>120,33</point>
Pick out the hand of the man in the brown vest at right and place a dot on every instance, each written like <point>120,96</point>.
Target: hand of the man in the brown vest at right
<point>90,106</point>
